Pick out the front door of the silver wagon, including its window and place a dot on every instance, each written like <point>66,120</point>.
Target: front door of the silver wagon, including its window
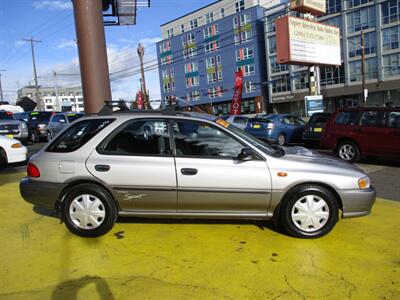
<point>210,178</point>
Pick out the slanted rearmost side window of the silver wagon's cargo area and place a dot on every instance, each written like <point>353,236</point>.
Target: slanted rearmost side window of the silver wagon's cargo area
<point>78,135</point>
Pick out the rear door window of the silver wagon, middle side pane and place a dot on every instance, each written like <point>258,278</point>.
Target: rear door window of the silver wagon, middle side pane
<point>140,137</point>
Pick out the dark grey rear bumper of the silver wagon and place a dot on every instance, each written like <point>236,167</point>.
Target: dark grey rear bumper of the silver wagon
<point>43,194</point>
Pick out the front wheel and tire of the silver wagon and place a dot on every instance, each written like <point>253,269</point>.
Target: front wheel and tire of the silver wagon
<point>308,211</point>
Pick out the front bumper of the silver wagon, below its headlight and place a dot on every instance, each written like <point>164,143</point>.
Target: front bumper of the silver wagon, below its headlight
<point>357,203</point>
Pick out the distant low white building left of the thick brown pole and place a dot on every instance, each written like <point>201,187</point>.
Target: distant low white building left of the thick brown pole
<point>65,99</point>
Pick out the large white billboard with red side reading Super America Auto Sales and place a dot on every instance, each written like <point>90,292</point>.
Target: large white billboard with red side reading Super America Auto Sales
<point>306,42</point>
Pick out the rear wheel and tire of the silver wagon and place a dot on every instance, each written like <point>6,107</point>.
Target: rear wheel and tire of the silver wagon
<point>86,204</point>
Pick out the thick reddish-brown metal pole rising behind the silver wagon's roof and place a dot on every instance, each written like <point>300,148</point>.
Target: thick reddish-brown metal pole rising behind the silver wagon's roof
<point>92,54</point>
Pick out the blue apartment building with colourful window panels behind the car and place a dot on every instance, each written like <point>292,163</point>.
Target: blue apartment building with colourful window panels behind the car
<point>201,51</point>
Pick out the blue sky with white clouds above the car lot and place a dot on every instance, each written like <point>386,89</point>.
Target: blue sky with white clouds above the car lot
<point>52,22</point>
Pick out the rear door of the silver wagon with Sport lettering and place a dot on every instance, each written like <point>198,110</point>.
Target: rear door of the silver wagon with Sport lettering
<point>136,161</point>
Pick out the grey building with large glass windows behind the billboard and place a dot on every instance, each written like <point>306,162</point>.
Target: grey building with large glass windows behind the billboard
<point>341,86</point>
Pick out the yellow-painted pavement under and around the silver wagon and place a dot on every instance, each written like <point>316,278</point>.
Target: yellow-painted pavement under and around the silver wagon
<point>170,259</point>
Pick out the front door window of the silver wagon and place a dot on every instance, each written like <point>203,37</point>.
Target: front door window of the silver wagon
<point>203,140</point>
